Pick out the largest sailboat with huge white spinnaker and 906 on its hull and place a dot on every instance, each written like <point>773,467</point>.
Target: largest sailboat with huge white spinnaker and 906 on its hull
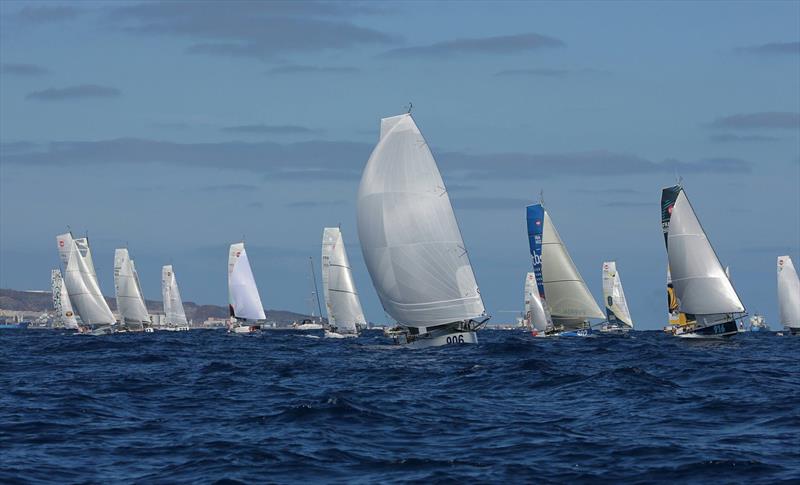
<point>412,244</point>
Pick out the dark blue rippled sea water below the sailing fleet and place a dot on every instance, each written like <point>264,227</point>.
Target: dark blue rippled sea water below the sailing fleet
<point>203,406</point>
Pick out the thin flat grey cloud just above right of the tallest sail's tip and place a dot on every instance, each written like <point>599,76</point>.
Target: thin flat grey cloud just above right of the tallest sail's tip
<point>505,44</point>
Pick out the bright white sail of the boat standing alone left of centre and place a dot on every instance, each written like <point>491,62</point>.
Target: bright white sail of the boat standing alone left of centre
<point>242,291</point>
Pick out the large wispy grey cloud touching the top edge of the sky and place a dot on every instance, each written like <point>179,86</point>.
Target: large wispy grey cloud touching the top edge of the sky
<point>259,30</point>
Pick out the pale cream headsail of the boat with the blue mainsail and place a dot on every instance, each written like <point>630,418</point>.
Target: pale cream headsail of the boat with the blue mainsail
<point>566,293</point>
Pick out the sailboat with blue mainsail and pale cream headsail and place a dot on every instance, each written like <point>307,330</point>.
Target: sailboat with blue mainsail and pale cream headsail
<point>561,288</point>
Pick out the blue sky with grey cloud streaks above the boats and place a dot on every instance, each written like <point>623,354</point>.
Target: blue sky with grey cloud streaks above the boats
<point>179,128</point>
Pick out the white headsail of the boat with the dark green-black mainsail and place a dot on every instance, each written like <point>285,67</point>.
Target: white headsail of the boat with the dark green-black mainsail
<point>699,280</point>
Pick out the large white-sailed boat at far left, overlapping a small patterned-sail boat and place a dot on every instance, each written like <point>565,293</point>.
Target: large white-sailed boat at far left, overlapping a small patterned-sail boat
<point>81,283</point>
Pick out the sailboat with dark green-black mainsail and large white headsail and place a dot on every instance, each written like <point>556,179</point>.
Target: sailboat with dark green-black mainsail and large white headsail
<point>702,289</point>
